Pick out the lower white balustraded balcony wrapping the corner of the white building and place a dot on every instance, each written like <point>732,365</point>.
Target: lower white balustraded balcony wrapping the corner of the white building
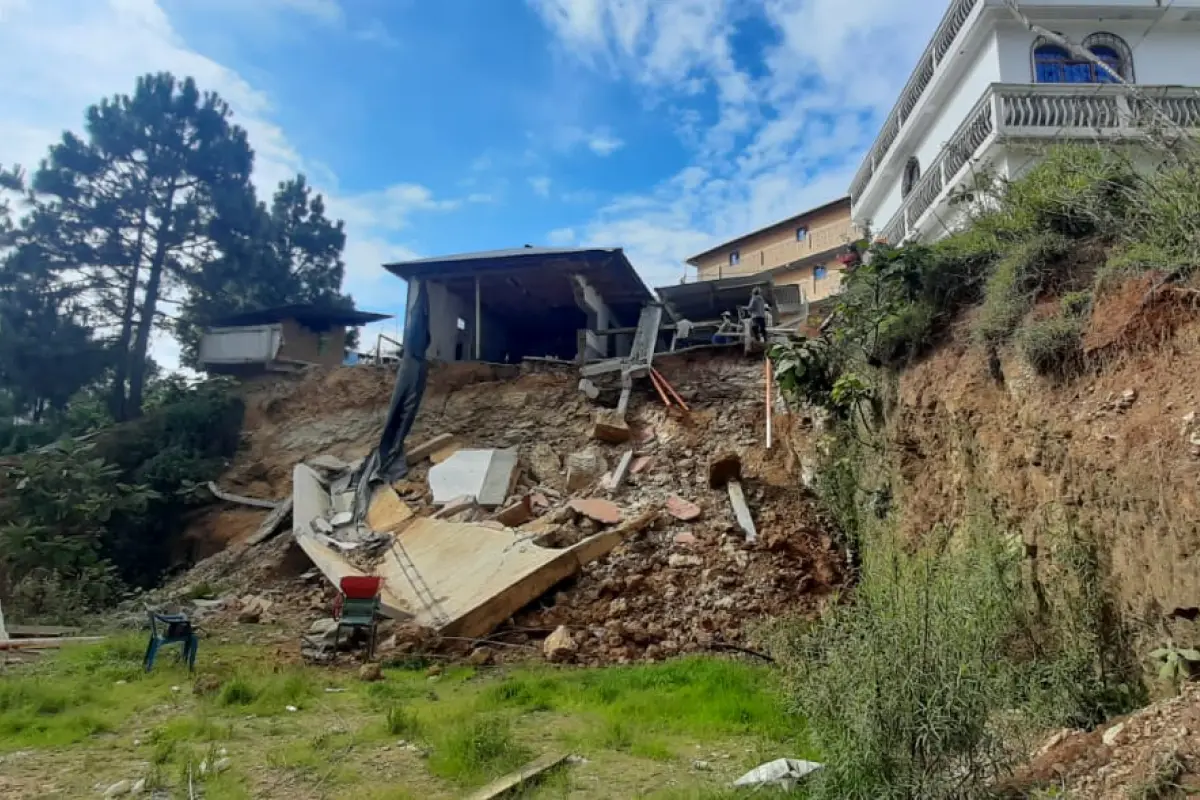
<point>1031,112</point>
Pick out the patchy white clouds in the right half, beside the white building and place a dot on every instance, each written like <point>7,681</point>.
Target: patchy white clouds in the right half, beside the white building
<point>785,137</point>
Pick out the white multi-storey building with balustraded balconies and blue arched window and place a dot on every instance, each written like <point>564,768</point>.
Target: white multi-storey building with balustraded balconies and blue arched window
<point>987,88</point>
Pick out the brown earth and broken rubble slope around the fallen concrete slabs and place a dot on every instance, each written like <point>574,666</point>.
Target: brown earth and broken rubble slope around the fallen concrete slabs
<point>689,581</point>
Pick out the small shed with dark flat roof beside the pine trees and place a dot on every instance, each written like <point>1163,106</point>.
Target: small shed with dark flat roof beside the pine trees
<point>280,340</point>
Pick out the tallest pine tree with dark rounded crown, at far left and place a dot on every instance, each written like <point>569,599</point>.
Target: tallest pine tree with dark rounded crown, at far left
<point>135,213</point>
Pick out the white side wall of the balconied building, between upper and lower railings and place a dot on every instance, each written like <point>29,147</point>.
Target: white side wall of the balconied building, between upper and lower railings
<point>983,71</point>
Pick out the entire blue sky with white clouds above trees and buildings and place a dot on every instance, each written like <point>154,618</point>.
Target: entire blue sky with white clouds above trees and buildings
<point>661,127</point>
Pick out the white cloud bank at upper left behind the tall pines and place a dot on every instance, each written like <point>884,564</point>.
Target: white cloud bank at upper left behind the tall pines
<point>61,58</point>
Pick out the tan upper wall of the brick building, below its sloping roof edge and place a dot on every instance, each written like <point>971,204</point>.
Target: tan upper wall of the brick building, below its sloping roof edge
<point>777,246</point>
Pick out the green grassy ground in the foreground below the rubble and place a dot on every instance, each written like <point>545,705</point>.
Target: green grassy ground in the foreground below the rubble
<point>89,718</point>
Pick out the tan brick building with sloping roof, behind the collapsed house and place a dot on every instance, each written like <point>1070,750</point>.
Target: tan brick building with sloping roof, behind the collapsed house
<point>800,251</point>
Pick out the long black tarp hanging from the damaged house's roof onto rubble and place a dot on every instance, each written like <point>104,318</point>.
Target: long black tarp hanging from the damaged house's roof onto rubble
<point>387,464</point>
